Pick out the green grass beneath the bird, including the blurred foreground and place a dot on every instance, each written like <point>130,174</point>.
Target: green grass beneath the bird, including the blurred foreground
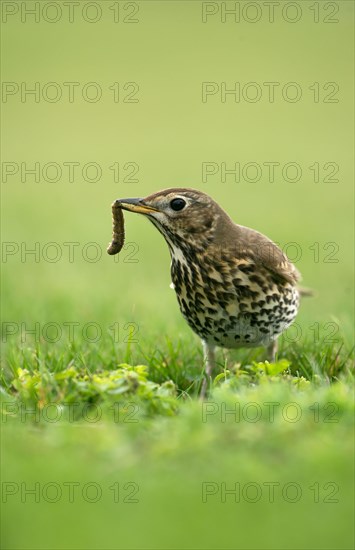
<point>278,436</point>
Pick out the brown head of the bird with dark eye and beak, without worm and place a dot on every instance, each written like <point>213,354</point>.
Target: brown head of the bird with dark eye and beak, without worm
<point>184,216</point>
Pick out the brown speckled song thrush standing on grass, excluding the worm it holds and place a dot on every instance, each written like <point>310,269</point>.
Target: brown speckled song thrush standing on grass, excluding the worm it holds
<point>234,286</point>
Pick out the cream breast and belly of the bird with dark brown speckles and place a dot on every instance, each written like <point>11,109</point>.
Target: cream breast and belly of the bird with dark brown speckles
<point>238,305</point>
